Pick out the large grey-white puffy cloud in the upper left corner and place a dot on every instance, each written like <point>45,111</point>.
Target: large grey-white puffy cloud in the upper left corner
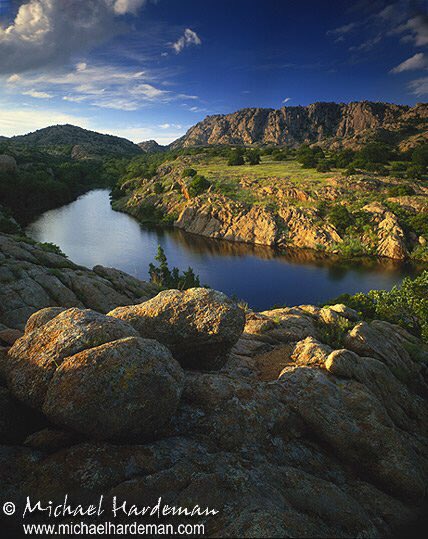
<point>50,32</point>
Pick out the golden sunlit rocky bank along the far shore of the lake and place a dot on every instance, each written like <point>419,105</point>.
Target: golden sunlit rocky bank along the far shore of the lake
<point>287,221</point>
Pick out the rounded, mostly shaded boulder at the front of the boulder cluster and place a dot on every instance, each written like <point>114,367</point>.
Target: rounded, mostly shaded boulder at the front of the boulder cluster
<point>127,388</point>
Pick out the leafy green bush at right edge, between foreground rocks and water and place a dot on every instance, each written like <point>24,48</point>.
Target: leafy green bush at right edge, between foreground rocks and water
<point>405,305</point>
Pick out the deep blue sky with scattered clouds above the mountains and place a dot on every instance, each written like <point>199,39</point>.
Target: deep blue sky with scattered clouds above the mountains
<point>150,69</point>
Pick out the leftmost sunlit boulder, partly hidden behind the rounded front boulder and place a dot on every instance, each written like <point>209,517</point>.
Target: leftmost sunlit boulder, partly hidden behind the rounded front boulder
<point>34,358</point>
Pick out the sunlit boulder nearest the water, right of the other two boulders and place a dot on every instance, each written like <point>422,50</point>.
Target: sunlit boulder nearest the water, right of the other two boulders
<point>198,325</point>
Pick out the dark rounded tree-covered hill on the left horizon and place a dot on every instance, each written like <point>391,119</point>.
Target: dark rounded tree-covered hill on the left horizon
<point>85,143</point>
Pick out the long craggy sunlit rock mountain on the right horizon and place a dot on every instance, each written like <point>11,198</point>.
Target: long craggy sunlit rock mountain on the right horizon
<point>325,123</point>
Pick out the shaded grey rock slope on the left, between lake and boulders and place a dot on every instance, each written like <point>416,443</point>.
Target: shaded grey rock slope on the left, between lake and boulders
<point>32,278</point>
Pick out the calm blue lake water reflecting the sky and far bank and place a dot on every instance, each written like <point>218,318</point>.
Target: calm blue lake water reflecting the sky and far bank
<point>91,233</point>
